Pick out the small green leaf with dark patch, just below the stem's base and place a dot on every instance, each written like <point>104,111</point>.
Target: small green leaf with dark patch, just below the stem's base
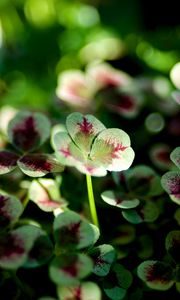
<point>103,257</point>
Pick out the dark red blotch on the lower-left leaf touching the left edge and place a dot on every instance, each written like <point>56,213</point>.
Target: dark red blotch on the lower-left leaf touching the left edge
<point>11,246</point>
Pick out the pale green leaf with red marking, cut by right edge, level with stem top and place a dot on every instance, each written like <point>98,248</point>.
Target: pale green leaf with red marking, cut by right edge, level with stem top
<point>171,183</point>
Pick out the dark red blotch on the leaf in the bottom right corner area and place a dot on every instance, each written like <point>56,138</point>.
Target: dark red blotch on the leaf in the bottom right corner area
<point>157,273</point>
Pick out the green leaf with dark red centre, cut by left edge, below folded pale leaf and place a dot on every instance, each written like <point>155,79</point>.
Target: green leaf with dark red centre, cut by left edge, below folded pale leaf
<point>10,210</point>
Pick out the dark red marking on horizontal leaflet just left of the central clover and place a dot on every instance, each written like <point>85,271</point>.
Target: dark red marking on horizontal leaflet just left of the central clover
<point>37,163</point>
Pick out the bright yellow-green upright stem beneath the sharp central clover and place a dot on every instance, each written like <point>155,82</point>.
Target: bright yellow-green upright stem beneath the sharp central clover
<point>92,204</point>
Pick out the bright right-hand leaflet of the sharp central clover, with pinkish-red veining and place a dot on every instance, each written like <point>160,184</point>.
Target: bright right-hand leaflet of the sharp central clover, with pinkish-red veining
<point>111,149</point>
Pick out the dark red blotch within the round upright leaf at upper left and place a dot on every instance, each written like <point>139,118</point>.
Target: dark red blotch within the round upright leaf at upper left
<point>25,135</point>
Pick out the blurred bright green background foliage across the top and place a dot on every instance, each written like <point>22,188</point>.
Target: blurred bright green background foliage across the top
<point>41,38</point>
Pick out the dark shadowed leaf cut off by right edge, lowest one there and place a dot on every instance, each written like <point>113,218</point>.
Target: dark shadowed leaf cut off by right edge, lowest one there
<point>173,244</point>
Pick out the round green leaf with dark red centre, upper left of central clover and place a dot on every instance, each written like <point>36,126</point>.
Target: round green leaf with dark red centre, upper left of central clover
<point>28,131</point>
